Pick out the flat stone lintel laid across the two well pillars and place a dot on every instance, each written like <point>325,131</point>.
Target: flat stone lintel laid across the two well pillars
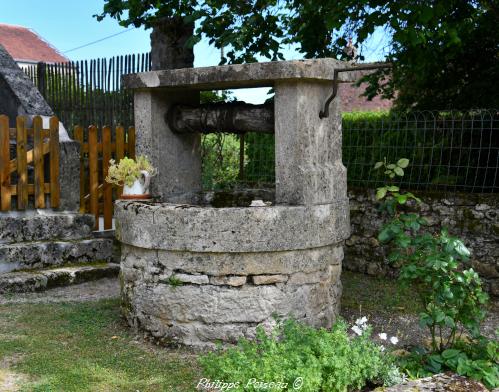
<point>239,75</point>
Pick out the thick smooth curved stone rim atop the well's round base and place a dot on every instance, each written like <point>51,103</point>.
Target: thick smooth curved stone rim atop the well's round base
<point>207,229</point>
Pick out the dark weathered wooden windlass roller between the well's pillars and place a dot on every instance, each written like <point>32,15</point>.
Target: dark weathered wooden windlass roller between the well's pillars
<point>234,117</point>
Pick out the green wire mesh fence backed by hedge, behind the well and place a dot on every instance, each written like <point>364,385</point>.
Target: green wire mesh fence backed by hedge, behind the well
<point>448,151</point>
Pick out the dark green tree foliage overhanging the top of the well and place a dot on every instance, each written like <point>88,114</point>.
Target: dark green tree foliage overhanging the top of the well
<point>445,52</point>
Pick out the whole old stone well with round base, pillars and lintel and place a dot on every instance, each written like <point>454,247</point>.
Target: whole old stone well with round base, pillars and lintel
<point>194,272</point>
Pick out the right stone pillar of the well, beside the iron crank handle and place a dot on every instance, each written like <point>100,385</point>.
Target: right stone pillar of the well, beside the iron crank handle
<point>308,149</point>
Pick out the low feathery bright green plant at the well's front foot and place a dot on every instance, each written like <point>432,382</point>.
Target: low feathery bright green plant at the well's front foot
<point>324,360</point>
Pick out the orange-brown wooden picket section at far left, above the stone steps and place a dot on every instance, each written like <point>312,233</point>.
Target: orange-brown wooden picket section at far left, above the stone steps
<point>24,173</point>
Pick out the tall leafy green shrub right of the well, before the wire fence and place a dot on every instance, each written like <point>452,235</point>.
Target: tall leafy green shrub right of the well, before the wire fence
<point>452,296</point>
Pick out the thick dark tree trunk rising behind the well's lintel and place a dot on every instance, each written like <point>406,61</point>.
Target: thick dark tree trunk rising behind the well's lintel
<point>168,49</point>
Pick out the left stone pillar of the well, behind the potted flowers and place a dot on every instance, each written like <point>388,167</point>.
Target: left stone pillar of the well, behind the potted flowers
<point>177,157</point>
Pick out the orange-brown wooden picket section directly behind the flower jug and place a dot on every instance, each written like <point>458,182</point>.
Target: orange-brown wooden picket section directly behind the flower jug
<point>97,147</point>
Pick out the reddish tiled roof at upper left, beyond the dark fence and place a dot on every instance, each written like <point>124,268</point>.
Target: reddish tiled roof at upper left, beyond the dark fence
<point>25,45</point>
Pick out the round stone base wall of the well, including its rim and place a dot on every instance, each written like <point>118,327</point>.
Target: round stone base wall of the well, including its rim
<point>196,275</point>
